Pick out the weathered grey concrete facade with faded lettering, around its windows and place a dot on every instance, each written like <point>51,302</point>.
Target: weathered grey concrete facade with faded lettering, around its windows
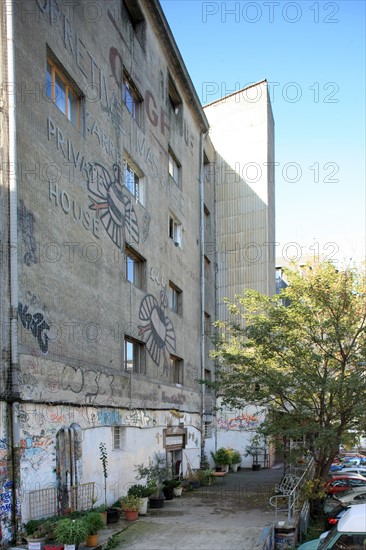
<point>75,305</point>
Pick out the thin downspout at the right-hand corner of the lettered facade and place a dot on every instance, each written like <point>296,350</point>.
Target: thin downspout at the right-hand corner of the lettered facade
<point>202,284</point>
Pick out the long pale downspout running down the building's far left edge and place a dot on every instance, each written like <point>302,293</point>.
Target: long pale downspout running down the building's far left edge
<point>13,397</point>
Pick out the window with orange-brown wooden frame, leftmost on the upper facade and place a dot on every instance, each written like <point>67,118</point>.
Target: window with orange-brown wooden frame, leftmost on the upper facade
<point>62,93</point>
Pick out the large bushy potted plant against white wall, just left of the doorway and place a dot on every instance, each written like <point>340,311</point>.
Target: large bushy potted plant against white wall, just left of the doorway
<point>155,473</point>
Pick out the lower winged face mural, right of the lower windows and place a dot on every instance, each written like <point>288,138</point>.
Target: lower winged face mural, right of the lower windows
<point>158,331</point>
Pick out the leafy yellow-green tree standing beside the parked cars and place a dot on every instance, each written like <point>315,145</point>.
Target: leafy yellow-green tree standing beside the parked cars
<point>301,355</point>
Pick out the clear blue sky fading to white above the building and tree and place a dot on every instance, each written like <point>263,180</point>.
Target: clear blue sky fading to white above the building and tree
<point>313,55</point>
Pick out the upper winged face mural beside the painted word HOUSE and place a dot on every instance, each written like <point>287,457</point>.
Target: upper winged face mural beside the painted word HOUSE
<point>112,205</point>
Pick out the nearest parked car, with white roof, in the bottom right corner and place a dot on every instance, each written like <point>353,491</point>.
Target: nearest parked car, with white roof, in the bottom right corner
<point>349,532</point>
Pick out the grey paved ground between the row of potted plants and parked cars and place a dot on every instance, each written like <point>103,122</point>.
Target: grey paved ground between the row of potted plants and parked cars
<point>228,515</point>
